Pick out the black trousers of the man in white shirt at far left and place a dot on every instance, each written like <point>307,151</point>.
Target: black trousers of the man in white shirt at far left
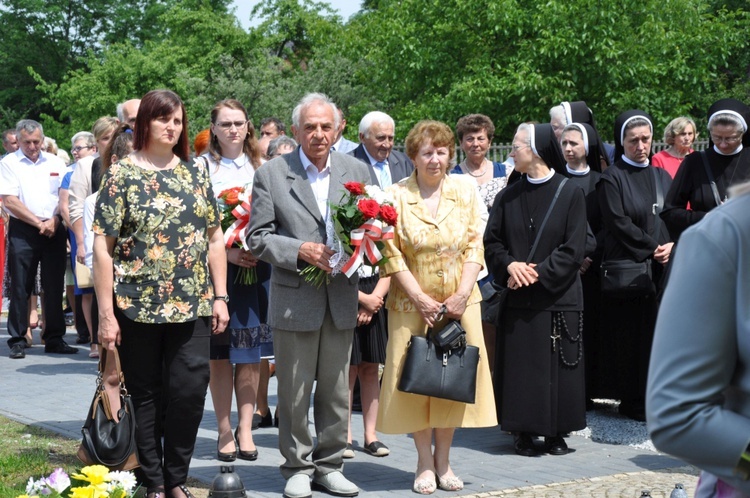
<point>26,250</point>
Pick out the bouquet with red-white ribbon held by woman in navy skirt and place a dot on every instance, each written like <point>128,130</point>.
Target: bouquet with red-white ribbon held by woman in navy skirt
<point>235,218</point>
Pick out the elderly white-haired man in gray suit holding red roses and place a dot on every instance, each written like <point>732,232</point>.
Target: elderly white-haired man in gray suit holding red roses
<point>313,326</point>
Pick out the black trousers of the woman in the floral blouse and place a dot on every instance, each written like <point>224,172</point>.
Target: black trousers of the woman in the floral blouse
<point>166,373</point>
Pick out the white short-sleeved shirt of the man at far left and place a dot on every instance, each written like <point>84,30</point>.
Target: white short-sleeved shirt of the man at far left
<point>35,184</point>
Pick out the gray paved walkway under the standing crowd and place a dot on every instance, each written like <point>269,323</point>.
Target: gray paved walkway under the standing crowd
<point>53,391</point>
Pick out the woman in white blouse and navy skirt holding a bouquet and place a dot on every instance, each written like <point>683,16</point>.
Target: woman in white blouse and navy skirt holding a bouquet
<point>232,158</point>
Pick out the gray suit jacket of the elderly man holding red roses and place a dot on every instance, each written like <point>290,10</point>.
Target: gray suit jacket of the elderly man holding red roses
<point>284,215</point>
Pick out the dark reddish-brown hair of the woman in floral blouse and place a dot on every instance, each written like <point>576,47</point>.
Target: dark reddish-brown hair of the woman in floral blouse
<point>156,104</point>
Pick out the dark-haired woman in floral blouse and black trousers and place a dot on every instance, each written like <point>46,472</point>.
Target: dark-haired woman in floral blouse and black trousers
<point>157,236</point>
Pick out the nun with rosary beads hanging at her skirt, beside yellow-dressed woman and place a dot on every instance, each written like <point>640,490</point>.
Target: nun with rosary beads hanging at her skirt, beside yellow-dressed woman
<point>539,376</point>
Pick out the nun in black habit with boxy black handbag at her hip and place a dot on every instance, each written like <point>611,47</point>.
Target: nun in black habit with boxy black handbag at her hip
<point>633,231</point>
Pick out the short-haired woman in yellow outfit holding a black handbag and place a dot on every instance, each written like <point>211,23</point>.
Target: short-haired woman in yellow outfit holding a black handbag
<point>433,260</point>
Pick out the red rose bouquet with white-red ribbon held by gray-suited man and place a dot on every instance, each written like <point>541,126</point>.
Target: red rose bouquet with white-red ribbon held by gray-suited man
<point>357,227</point>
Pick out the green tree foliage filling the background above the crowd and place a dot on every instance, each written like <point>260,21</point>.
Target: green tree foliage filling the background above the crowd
<point>413,59</point>
